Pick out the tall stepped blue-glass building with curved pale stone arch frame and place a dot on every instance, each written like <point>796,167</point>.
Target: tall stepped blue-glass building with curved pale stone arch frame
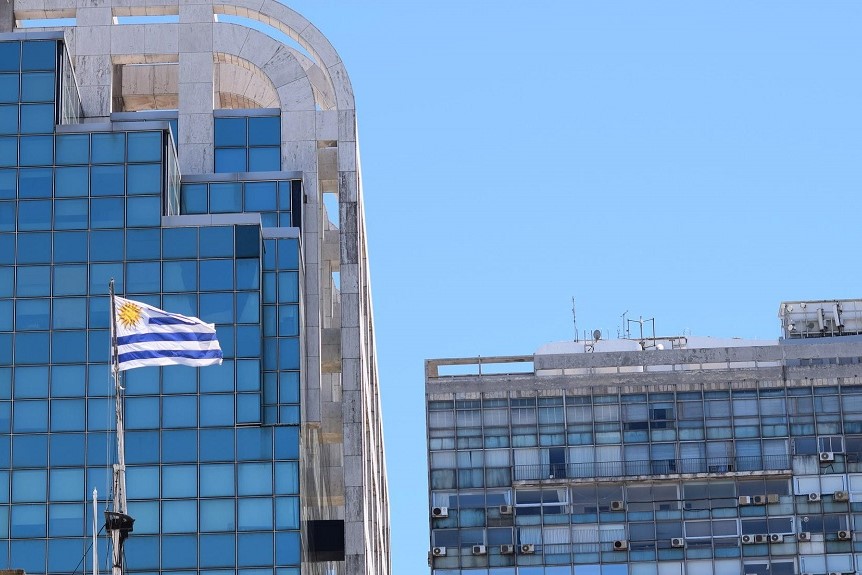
<point>204,156</point>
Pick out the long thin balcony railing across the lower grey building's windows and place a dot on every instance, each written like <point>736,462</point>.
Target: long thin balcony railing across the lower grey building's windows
<point>605,469</point>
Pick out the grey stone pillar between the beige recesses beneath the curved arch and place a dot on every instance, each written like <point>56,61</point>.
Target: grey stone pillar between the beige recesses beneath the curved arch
<point>196,87</point>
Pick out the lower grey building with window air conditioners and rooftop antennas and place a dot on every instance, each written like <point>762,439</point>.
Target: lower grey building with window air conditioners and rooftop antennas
<point>653,456</point>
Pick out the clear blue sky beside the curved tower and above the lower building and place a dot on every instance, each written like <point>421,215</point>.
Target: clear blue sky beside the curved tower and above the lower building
<point>696,162</point>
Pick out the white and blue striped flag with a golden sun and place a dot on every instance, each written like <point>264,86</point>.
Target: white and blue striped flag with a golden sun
<point>149,336</point>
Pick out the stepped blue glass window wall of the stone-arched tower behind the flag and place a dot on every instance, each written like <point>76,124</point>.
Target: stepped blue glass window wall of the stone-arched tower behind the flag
<point>212,454</point>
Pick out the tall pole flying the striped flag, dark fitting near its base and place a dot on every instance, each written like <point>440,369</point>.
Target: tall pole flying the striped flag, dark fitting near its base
<point>118,523</point>
